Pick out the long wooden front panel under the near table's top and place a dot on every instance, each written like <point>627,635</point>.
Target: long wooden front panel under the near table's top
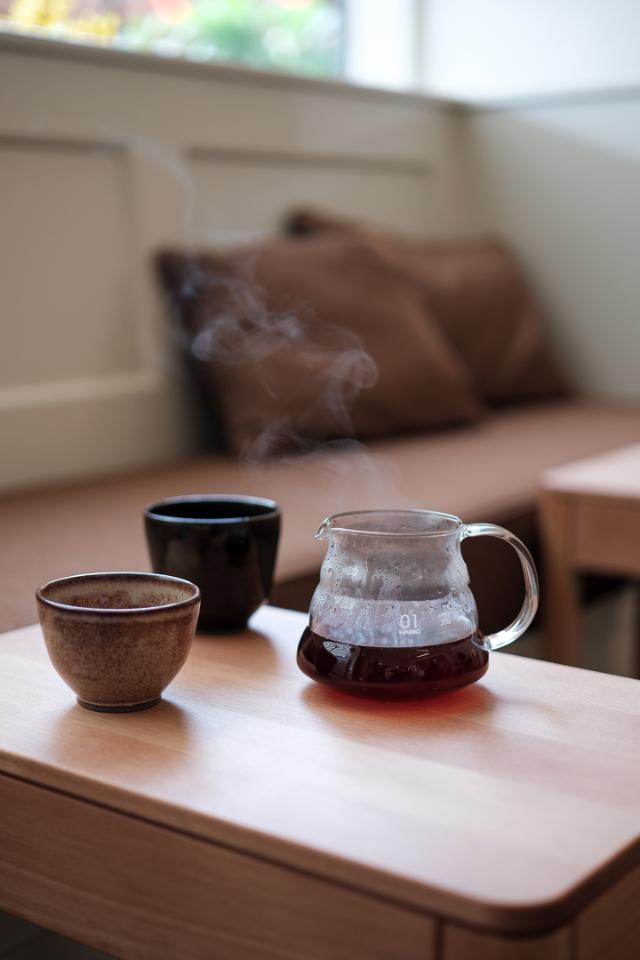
<point>140,891</point>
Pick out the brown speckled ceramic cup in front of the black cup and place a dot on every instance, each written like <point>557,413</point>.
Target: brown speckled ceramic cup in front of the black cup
<point>118,639</point>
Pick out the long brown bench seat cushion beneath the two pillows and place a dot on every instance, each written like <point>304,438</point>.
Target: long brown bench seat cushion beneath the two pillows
<point>486,472</point>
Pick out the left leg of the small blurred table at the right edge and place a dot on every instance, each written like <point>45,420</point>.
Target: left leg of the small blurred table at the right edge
<point>561,588</point>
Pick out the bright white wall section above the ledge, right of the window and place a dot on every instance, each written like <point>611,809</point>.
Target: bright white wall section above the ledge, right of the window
<point>488,49</point>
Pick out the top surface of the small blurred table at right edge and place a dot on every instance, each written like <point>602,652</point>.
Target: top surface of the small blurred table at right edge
<point>614,475</point>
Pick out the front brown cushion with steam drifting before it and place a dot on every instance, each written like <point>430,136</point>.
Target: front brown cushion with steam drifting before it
<point>316,340</point>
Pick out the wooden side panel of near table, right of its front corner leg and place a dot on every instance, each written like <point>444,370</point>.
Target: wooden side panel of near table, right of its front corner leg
<point>610,927</point>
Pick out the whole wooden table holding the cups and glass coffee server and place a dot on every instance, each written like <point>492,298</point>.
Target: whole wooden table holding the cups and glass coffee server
<point>253,815</point>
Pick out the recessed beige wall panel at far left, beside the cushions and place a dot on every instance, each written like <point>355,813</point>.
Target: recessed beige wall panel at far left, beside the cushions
<point>65,254</point>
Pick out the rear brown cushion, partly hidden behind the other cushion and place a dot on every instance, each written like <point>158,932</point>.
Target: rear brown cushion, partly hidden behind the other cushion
<point>476,292</point>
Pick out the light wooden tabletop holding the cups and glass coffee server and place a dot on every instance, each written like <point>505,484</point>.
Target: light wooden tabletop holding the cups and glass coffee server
<point>509,804</point>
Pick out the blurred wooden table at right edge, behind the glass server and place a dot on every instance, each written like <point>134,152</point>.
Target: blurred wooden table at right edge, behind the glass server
<point>590,512</point>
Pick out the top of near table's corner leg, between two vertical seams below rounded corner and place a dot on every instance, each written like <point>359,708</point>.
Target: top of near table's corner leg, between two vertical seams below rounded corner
<point>462,944</point>
